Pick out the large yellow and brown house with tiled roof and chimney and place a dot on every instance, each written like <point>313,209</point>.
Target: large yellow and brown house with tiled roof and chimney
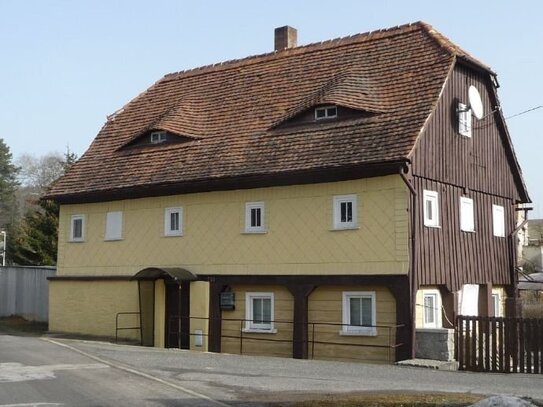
<point>336,200</point>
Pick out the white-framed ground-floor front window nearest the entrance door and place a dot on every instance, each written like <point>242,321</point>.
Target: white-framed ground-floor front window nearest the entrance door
<point>259,312</point>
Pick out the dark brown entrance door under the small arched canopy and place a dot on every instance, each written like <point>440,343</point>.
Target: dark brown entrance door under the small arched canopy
<point>177,315</point>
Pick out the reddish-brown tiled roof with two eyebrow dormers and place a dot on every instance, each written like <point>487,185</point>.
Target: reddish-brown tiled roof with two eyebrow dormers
<point>231,111</point>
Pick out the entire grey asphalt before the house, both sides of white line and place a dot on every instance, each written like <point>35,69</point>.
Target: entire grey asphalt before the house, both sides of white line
<point>84,373</point>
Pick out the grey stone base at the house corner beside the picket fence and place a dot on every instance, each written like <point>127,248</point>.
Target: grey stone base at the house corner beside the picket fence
<point>436,344</point>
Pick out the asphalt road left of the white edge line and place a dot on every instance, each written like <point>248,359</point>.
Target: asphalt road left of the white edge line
<point>34,372</point>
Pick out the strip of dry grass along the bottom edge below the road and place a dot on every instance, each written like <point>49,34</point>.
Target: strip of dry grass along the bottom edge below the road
<point>392,399</point>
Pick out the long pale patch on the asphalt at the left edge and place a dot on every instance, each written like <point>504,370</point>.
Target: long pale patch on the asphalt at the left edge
<point>17,372</point>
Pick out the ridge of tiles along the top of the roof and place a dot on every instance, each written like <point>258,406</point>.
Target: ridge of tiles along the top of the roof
<point>341,41</point>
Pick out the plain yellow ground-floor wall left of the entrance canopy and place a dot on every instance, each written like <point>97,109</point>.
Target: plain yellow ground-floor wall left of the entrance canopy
<point>90,307</point>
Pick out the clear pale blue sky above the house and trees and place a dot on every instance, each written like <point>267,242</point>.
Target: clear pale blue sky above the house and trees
<point>66,65</point>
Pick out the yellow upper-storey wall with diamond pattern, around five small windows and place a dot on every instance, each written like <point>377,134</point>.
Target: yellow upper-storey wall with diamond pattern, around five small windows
<point>299,238</point>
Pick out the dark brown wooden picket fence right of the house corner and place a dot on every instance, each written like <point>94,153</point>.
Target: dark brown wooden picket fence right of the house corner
<point>506,345</point>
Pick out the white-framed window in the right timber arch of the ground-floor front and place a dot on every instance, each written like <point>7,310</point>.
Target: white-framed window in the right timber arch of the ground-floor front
<point>359,313</point>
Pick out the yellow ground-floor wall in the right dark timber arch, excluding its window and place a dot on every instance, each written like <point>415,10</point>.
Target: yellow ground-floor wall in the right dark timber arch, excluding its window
<point>325,311</point>
